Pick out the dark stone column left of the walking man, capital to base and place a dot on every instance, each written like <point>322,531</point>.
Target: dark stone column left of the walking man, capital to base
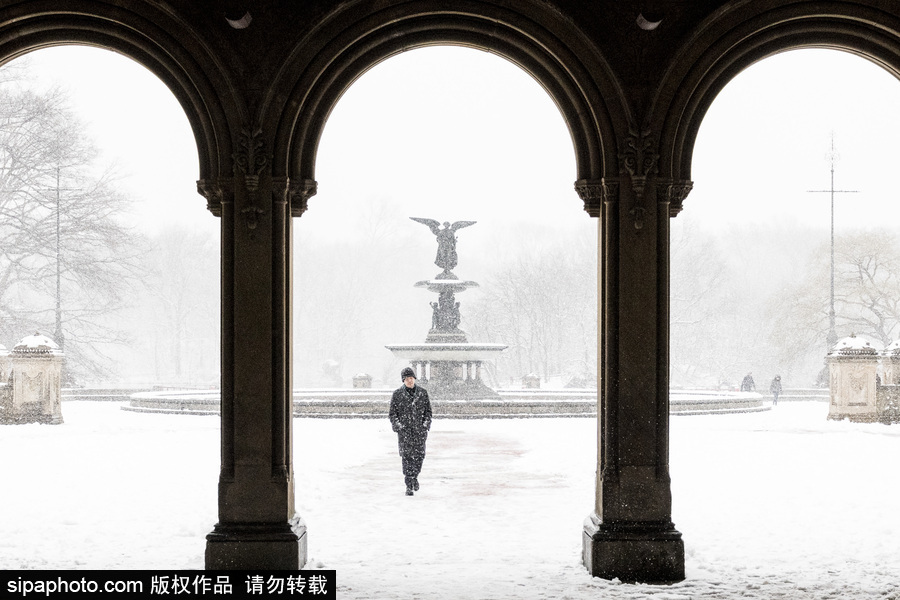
<point>257,527</point>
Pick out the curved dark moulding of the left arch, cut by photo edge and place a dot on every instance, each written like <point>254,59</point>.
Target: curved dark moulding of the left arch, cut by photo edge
<point>166,46</point>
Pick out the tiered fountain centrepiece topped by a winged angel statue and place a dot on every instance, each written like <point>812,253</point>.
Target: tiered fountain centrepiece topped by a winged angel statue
<point>447,364</point>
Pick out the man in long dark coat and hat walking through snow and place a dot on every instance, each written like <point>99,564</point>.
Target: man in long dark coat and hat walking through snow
<point>410,416</point>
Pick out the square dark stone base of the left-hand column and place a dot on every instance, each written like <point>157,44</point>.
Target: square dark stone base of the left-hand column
<point>270,547</point>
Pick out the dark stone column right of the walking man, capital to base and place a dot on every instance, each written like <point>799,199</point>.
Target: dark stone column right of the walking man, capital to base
<point>630,534</point>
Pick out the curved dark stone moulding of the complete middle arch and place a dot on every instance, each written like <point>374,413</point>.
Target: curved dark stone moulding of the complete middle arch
<point>554,52</point>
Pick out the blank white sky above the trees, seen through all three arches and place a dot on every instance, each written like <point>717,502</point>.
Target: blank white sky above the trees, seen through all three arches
<point>453,133</point>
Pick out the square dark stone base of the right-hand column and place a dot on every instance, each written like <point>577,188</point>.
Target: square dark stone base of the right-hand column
<point>634,553</point>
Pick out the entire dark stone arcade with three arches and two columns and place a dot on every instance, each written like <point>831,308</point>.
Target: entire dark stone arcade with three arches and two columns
<point>632,79</point>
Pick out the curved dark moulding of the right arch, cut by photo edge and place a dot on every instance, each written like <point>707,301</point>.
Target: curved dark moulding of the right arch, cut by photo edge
<point>747,32</point>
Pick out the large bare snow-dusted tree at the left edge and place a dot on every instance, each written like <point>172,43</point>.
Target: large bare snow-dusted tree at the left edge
<point>65,260</point>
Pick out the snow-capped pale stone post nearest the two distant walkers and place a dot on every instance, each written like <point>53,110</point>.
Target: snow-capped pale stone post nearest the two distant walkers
<point>852,369</point>
